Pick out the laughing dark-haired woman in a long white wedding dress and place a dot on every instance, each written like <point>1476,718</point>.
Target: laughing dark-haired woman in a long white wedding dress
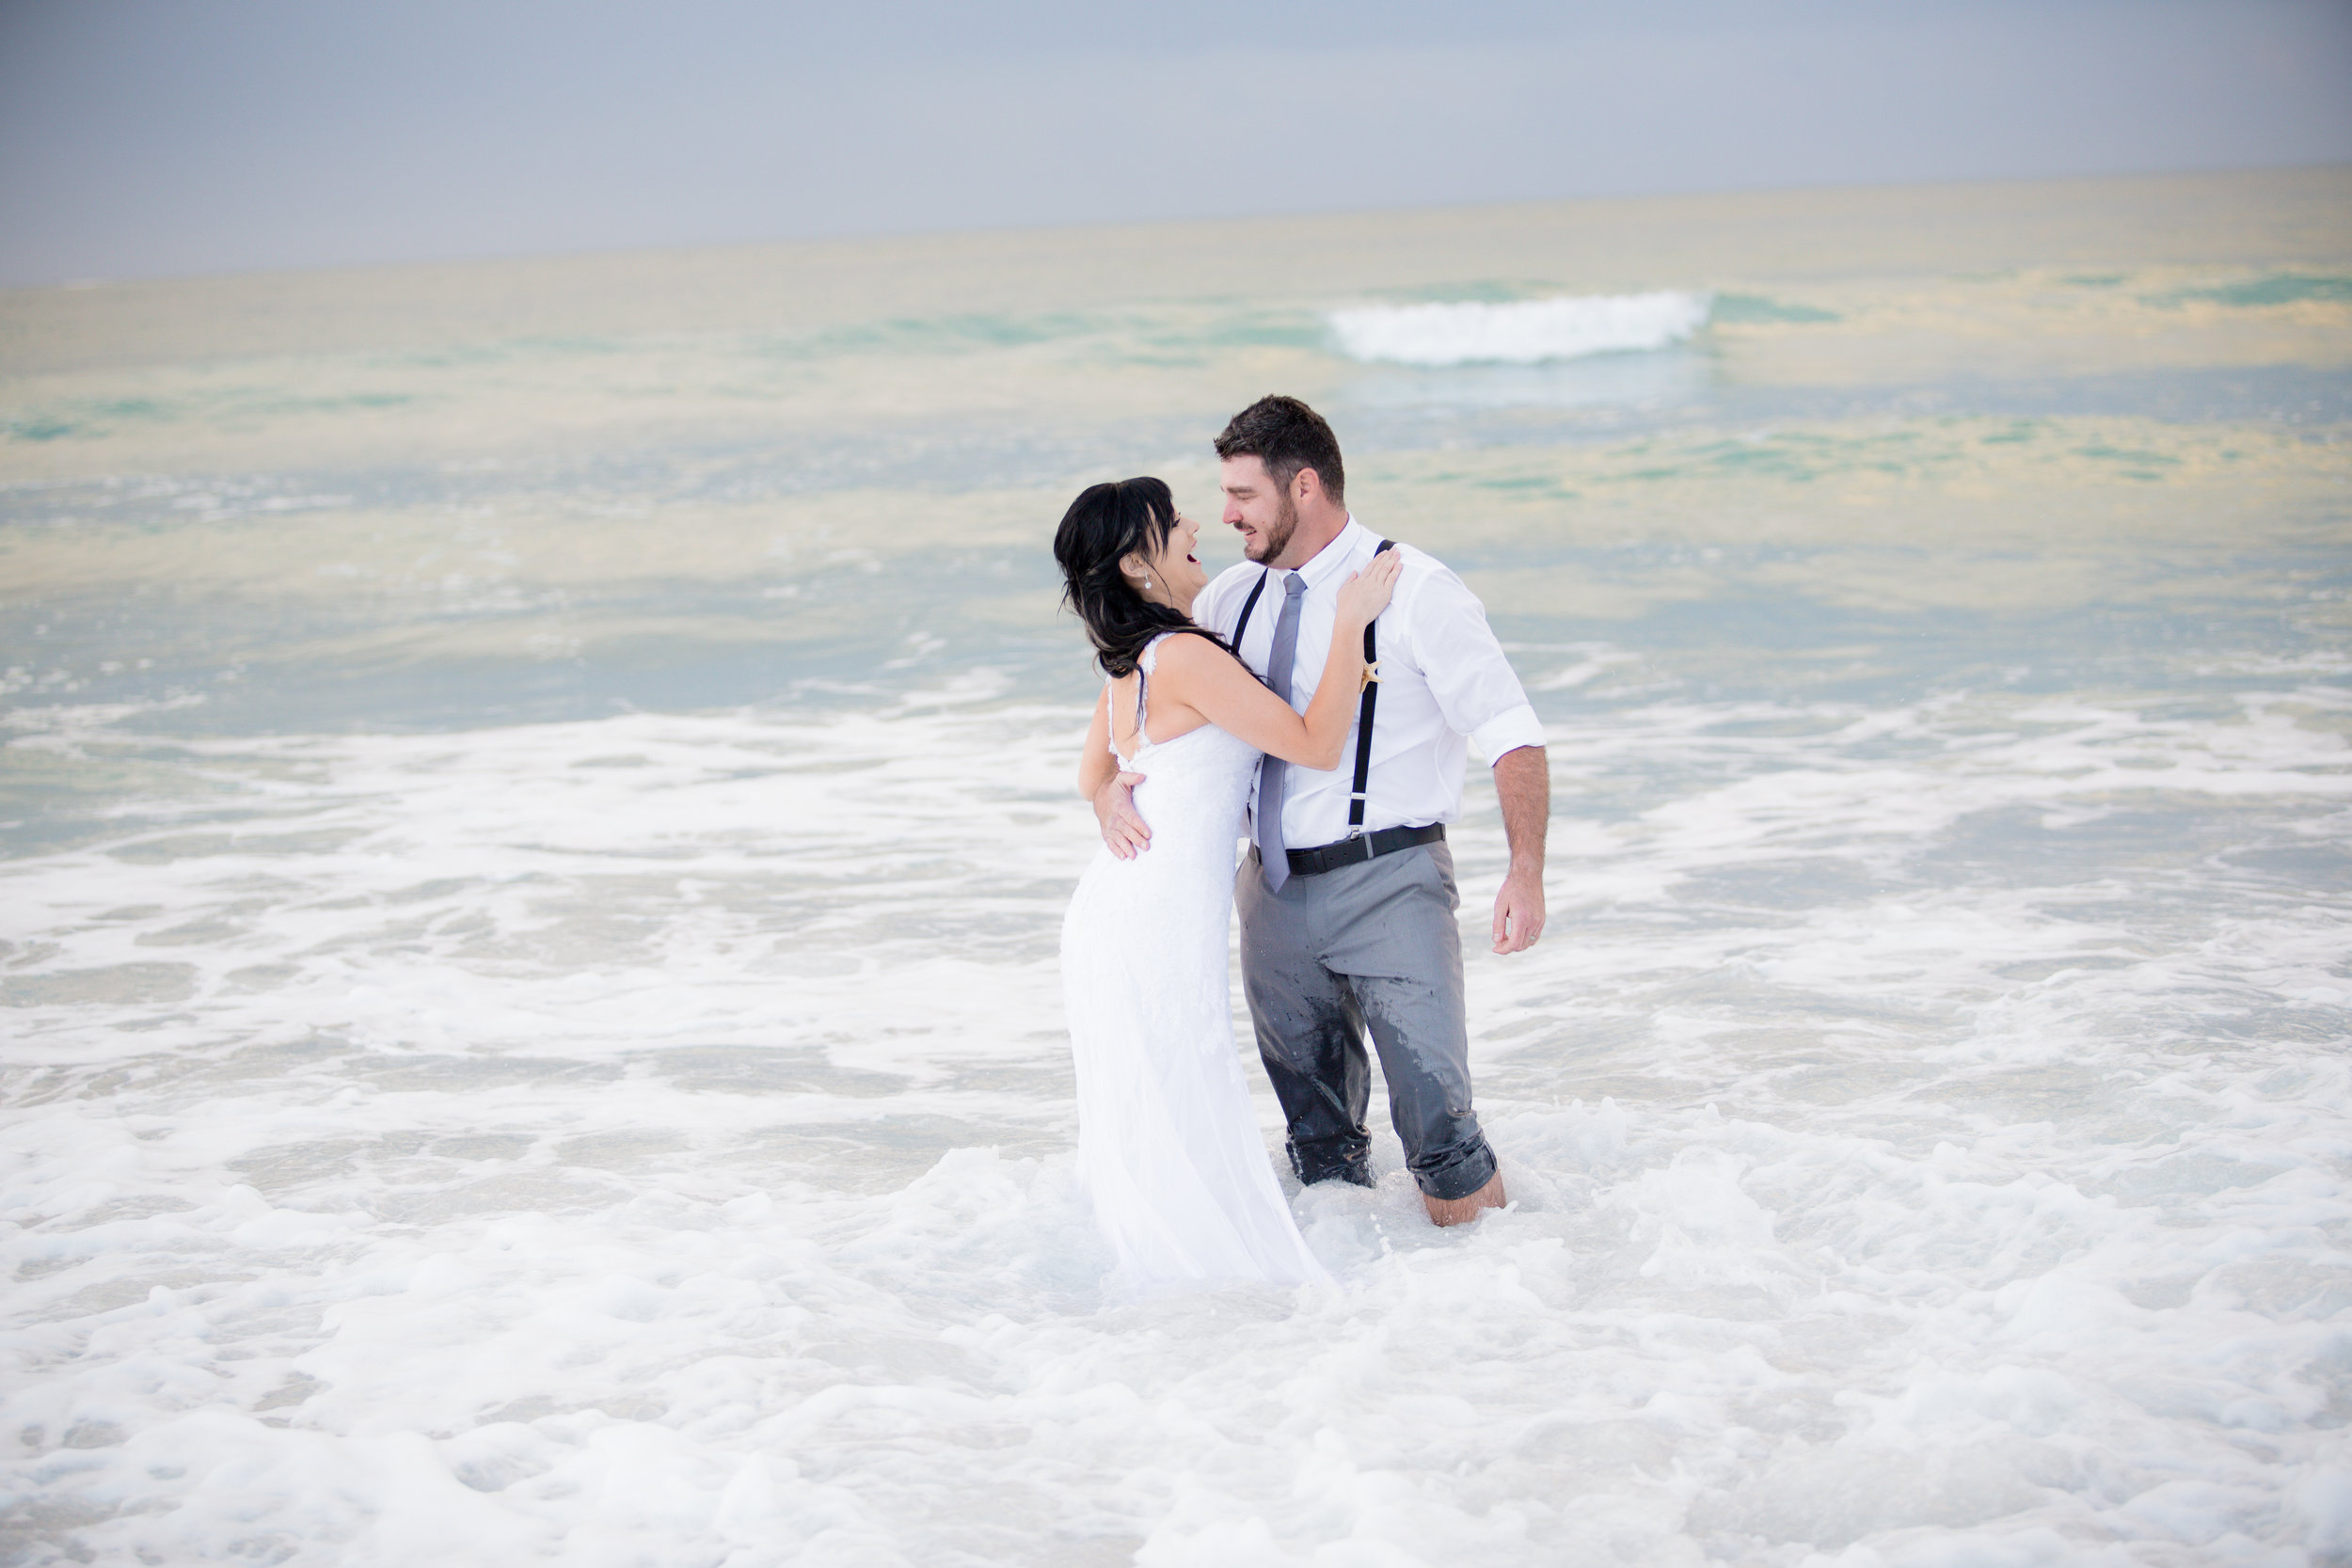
<point>1165,1139</point>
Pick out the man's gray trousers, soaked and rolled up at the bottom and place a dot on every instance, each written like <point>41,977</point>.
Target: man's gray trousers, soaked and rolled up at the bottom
<point>1365,951</point>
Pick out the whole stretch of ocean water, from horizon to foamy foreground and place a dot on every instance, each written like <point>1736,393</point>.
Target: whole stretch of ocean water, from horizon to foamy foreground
<point>535,815</point>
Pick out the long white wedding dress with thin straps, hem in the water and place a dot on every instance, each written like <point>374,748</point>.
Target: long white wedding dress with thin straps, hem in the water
<point>1165,1139</point>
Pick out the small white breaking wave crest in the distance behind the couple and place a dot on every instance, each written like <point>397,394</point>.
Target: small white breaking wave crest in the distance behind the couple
<point>1525,333</point>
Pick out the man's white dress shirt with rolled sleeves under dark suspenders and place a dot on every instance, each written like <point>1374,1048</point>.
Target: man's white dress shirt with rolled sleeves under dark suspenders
<point>1445,688</point>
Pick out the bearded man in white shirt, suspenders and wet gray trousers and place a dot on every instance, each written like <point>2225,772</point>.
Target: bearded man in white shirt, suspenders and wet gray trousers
<point>1349,916</point>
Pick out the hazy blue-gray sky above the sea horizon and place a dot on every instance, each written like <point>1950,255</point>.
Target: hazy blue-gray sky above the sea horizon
<point>173,138</point>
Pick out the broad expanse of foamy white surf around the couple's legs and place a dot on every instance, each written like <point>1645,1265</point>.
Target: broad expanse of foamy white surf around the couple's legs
<point>650,1141</point>
